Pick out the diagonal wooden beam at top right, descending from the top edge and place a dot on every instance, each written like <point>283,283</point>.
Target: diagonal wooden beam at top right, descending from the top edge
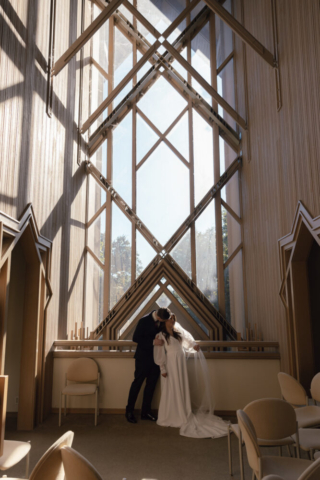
<point>239,30</point>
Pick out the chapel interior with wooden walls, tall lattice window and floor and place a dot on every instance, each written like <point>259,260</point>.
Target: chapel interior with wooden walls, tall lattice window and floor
<point>155,153</point>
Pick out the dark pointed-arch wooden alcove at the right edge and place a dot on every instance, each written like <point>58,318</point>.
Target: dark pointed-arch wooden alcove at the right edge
<point>300,275</point>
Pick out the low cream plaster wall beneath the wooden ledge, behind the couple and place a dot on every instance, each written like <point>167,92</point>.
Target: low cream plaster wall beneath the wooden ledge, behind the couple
<point>234,382</point>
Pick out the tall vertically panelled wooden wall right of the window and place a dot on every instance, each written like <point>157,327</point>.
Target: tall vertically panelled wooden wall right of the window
<point>282,162</point>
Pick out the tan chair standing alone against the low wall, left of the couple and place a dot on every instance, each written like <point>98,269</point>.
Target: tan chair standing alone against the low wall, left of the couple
<point>81,371</point>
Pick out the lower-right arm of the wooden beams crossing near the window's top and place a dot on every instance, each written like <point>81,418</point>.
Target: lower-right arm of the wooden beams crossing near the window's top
<point>225,105</point>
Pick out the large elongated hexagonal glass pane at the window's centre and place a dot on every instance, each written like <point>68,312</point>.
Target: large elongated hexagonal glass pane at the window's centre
<point>162,202</point>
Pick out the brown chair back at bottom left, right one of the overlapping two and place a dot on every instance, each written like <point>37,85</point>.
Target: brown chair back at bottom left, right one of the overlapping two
<point>77,467</point>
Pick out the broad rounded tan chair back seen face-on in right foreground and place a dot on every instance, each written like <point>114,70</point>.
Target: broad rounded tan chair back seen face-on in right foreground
<point>272,418</point>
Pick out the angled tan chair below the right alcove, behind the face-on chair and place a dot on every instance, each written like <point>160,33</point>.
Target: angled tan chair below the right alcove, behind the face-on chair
<point>294,393</point>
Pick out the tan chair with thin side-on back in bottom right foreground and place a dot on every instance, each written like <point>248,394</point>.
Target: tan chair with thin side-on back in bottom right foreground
<point>286,467</point>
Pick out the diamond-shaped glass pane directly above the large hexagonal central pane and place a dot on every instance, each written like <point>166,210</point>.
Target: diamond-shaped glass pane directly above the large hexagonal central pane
<point>162,104</point>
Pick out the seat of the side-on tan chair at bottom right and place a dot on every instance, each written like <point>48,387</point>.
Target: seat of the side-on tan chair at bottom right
<point>286,467</point>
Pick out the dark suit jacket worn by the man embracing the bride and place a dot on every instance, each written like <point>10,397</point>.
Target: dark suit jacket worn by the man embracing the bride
<point>144,335</point>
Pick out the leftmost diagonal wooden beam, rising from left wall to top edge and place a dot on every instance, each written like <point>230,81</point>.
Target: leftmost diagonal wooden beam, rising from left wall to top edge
<point>85,36</point>
